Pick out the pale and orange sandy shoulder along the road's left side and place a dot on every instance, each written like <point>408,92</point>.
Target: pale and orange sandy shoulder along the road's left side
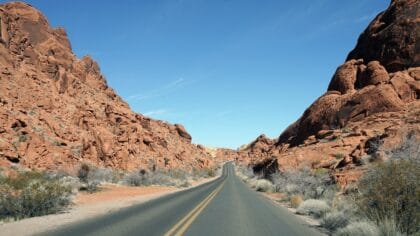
<point>110,199</point>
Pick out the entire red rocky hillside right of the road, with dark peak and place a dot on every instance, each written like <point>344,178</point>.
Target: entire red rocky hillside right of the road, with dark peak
<point>373,96</point>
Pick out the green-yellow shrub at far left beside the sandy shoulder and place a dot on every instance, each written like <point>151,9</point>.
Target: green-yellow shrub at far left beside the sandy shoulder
<point>29,194</point>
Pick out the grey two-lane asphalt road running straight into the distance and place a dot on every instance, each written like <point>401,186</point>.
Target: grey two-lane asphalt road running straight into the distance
<point>225,206</point>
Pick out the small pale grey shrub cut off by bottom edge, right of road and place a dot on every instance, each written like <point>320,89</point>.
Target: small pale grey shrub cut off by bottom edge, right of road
<point>359,228</point>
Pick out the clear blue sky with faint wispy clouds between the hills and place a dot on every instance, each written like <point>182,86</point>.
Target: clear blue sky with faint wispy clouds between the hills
<point>227,70</point>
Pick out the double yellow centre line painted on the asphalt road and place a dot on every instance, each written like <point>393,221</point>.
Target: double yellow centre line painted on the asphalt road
<point>184,223</point>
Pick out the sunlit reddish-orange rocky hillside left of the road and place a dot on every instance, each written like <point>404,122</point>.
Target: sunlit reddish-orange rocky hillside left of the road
<point>57,110</point>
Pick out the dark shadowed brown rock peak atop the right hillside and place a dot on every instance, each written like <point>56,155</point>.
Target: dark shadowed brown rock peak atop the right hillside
<point>392,37</point>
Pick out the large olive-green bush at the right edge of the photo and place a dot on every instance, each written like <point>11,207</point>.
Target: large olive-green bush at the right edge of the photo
<point>391,190</point>
